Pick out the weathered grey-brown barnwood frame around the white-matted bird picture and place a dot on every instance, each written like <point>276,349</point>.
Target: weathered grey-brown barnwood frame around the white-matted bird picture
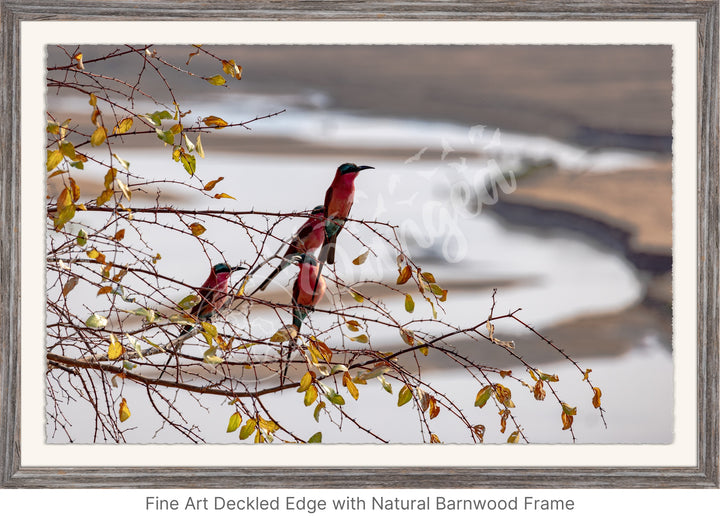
<point>704,474</point>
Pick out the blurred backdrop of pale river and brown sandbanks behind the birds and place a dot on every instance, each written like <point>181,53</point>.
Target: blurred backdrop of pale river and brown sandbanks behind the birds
<point>542,171</point>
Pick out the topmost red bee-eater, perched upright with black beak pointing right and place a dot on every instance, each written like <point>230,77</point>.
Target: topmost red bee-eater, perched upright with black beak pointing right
<point>338,201</point>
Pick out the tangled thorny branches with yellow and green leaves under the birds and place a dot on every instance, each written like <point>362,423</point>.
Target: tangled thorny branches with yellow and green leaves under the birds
<point>116,317</point>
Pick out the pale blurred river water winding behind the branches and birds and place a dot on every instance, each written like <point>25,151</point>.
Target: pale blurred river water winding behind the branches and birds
<point>431,193</point>
